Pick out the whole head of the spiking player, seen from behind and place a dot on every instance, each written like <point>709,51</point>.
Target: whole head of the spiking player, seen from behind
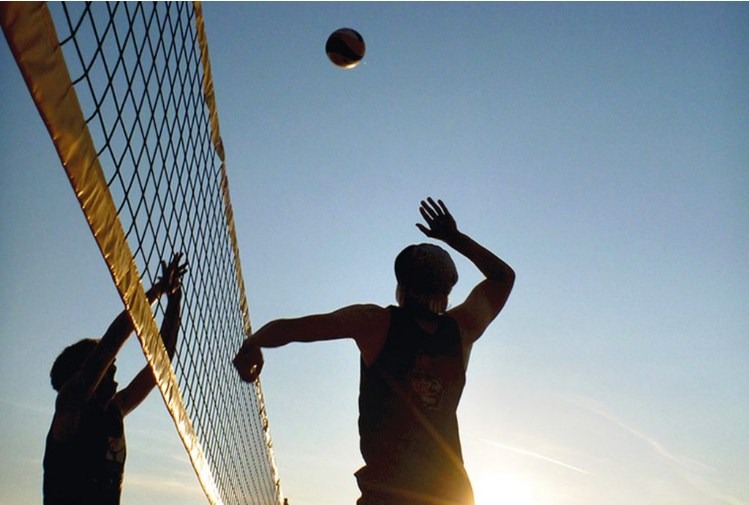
<point>426,274</point>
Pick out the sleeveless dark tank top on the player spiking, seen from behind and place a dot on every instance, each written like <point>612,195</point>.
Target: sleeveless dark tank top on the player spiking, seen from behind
<point>407,417</point>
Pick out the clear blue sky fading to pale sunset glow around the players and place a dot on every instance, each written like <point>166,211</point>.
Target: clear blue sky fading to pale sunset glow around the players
<point>600,149</point>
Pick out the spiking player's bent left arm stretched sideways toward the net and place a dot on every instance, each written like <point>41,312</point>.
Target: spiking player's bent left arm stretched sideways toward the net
<point>362,323</point>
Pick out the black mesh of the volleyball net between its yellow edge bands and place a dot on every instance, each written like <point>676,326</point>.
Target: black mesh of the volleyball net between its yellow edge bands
<point>137,71</point>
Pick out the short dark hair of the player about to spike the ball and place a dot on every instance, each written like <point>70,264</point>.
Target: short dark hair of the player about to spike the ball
<point>426,269</point>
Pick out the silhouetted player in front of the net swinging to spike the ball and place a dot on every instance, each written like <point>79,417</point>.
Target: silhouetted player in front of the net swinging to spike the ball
<point>413,364</point>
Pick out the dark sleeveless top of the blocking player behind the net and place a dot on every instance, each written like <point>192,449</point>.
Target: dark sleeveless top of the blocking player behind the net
<point>87,469</point>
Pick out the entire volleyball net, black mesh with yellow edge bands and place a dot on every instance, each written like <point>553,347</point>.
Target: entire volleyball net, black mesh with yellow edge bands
<point>125,91</point>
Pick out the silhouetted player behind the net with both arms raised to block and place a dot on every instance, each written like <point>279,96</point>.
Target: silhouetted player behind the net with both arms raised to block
<point>84,458</point>
